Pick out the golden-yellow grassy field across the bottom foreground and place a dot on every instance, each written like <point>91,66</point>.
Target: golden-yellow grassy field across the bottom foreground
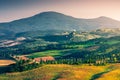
<point>67,72</point>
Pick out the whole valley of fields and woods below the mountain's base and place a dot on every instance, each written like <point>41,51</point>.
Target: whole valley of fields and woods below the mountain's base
<point>62,57</point>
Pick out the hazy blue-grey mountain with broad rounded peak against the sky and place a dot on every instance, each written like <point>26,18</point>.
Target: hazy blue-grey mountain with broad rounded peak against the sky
<point>57,21</point>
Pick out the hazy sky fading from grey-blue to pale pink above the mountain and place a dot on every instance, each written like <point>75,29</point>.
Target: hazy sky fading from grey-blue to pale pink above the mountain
<point>16,9</point>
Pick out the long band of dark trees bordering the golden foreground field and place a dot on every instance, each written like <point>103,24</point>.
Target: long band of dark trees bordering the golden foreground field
<point>77,59</point>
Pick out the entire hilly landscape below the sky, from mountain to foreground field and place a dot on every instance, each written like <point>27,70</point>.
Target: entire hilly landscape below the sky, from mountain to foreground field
<point>54,46</point>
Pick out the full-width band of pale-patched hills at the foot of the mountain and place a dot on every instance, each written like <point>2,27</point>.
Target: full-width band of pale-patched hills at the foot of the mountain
<point>51,36</point>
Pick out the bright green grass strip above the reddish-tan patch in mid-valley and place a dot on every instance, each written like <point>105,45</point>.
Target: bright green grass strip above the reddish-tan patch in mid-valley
<point>56,53</point>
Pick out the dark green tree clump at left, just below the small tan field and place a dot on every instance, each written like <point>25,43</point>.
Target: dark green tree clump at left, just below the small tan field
<point>20,66</point>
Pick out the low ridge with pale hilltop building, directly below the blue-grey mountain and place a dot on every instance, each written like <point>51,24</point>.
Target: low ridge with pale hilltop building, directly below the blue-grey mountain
<point>76,36</point>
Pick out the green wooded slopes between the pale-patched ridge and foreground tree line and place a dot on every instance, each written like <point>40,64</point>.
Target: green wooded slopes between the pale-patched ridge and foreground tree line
<point>106,49</point>
